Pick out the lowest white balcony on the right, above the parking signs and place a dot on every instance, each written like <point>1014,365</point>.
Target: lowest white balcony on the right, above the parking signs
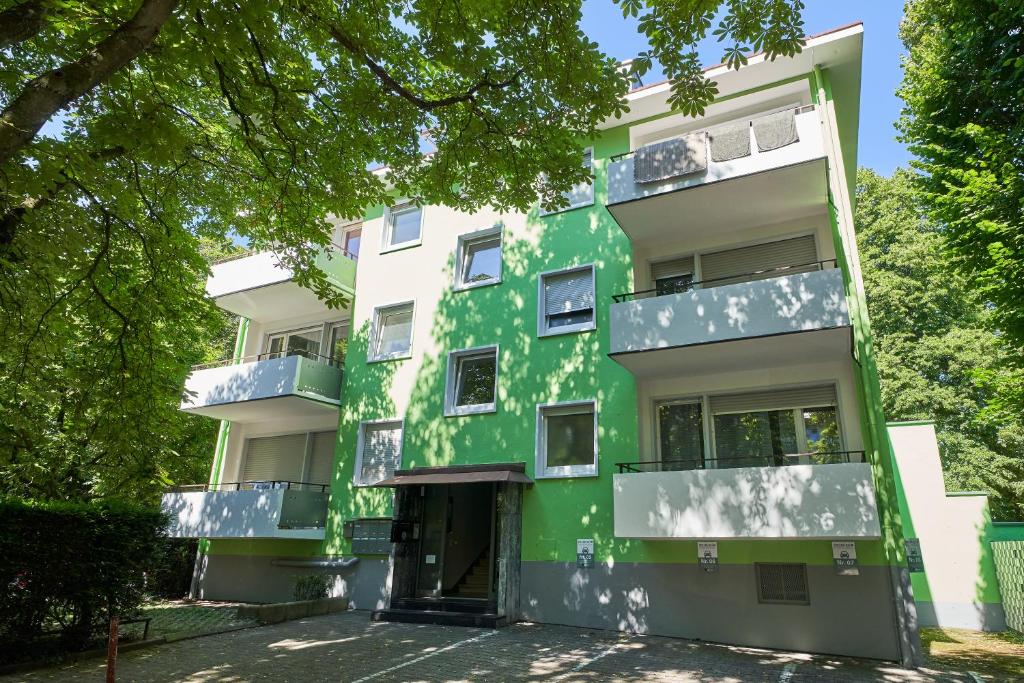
<point>799,497</point>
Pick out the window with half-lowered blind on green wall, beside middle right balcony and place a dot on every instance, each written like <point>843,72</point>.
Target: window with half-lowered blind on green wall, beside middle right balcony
<point>567,302</point>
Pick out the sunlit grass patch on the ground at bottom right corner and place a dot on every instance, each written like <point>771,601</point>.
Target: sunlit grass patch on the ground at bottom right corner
<point>1000,656</point>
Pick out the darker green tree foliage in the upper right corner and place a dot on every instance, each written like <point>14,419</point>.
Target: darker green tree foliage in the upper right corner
<point>964,118</point>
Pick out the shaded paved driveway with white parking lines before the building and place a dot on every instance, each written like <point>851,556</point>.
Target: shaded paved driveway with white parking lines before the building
<point>348,648</point>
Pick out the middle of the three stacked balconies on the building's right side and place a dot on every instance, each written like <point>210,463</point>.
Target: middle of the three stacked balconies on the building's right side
<point>788,319</point>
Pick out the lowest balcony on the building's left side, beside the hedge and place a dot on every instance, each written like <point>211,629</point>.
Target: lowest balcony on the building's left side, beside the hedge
<point>247,510</point>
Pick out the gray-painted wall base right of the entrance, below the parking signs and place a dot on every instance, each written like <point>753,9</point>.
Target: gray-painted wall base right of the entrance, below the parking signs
<point>851,616</point>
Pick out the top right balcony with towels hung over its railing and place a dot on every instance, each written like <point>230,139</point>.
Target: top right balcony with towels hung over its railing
<point>707,196</point>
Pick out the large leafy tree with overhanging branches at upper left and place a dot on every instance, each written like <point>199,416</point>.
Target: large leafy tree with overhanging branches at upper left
<point>133,130</point>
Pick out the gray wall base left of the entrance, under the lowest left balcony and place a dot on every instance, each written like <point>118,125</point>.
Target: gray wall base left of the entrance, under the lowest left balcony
<point>255,579</point>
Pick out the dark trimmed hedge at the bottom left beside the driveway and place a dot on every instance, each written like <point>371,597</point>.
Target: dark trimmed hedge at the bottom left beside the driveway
<point>66,568</point>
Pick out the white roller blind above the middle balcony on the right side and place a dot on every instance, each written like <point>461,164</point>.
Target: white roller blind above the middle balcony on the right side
<point>734,263</point>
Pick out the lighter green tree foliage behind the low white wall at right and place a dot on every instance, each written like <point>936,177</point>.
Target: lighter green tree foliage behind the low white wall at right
<point>937,356</point>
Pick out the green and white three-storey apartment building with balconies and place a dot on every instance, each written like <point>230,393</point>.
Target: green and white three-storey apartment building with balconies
<point>655,410</point>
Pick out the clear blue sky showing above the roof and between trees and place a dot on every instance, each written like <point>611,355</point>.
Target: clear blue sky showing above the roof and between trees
<point>879,105</point>
